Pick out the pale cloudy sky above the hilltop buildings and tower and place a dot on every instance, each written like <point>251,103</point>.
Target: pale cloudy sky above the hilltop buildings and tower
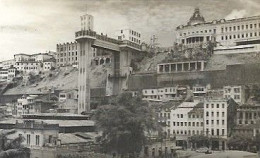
<point>30,26</point>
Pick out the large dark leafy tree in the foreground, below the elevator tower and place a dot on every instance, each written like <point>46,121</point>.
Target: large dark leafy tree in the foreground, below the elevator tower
<point>124,123</point>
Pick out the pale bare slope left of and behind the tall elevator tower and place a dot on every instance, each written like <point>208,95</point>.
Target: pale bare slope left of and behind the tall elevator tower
<point>60,79</point>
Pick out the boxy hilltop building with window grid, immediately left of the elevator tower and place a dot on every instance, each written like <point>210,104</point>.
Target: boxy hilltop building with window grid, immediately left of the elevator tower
<point>67,54</point>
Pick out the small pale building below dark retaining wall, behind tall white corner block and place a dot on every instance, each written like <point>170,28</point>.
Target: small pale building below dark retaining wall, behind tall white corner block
<point>235,92</point>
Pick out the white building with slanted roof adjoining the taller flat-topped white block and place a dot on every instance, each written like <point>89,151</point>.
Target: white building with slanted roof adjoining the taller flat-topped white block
<point>186,121</point>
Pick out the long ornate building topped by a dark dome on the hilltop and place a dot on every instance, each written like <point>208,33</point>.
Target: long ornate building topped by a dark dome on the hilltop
<point>232,36</point>
